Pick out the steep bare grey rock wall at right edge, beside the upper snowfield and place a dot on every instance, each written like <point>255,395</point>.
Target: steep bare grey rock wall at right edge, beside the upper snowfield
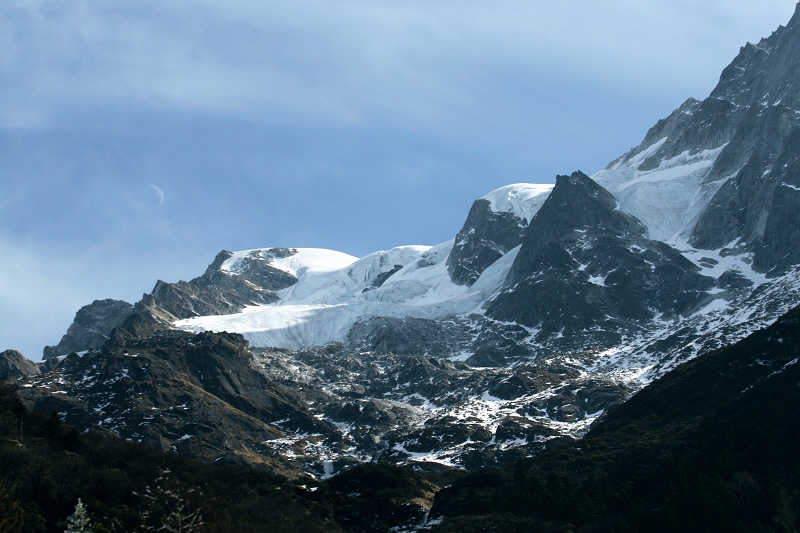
<point>755,209</point>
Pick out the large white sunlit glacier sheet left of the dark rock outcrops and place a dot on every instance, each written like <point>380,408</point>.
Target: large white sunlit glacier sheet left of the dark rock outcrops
<point>326,302</point>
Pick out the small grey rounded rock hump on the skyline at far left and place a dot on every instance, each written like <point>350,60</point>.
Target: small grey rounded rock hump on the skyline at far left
<point>91,327</point>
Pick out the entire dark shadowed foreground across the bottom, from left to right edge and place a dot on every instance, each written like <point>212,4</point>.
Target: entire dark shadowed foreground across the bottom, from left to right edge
<point>711,446</point>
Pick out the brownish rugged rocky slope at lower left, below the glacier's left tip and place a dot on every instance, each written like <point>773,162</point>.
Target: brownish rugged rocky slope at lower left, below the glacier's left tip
<point>194,394</point>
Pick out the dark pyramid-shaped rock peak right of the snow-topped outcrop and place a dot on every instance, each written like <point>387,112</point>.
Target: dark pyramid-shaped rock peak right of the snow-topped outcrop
<point>585,266</point>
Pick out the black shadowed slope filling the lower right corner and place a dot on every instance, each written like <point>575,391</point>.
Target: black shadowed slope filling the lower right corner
<point>711,446</point>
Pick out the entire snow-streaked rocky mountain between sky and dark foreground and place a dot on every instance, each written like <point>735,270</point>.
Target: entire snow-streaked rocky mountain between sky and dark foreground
<point>551,304</point>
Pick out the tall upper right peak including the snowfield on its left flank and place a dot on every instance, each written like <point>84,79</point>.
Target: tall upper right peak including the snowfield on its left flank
<point>727,163</point>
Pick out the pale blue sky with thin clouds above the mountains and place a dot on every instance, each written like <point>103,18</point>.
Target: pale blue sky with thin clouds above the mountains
<point>138,138</point>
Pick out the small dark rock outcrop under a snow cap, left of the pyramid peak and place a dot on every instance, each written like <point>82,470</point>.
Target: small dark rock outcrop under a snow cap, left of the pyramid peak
<point>486,236</point>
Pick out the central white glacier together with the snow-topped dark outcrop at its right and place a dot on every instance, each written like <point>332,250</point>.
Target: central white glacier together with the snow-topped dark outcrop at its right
<point>334,291</point>
